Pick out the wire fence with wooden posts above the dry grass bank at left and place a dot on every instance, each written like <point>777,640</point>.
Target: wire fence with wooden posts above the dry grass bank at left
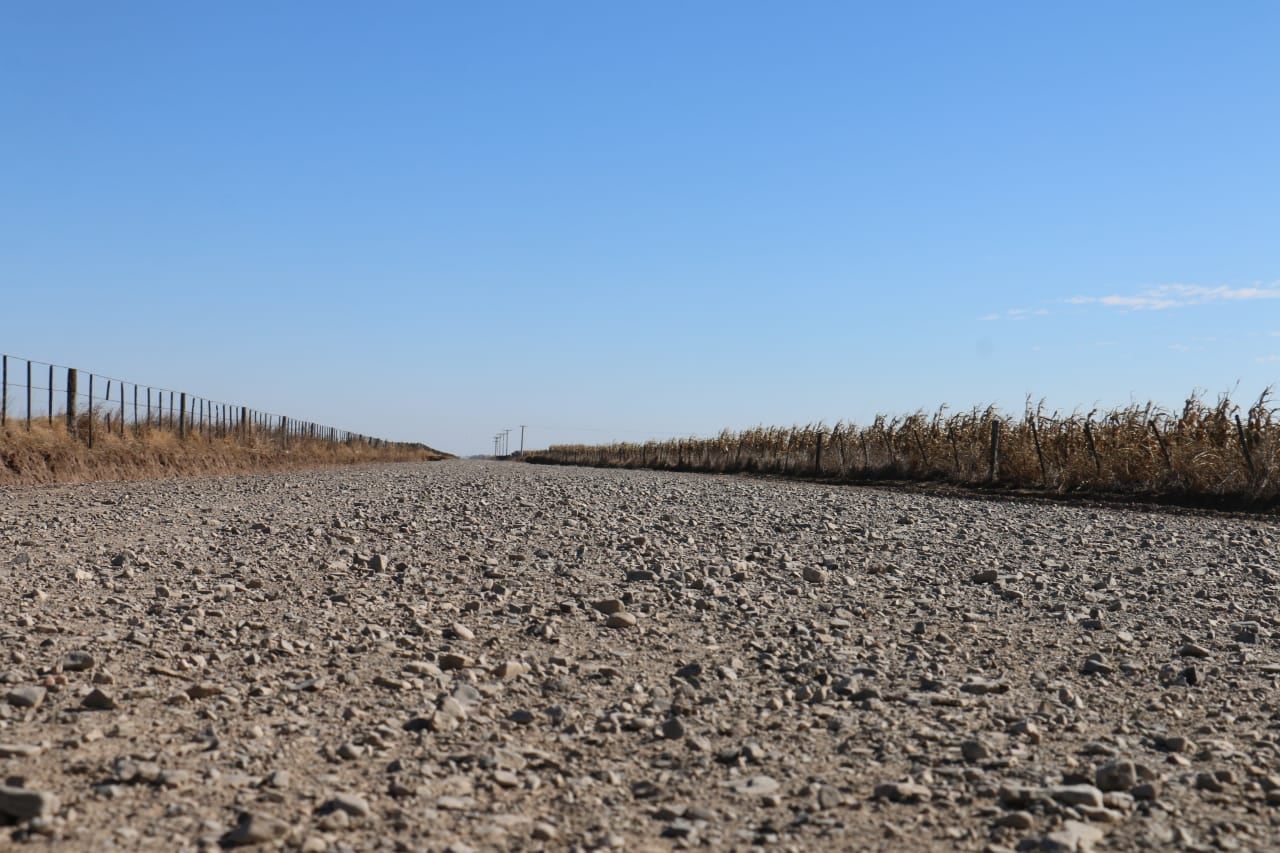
<point>38,394</point>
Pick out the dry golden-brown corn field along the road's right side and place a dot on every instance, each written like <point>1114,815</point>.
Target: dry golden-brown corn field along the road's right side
<point>1206,451</point>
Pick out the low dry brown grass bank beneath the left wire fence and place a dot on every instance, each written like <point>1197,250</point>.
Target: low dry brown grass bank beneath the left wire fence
<point>49,454</point>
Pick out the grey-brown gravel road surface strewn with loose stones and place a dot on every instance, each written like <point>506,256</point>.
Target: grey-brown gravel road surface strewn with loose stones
<point>492,656</point>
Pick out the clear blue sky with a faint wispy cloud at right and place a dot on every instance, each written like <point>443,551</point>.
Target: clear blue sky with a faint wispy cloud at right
<point>431,222</point>
